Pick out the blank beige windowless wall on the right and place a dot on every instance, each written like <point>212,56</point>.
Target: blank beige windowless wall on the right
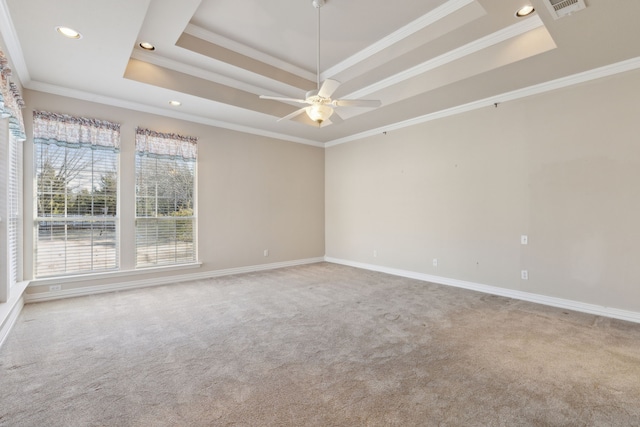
<point>562,167</point>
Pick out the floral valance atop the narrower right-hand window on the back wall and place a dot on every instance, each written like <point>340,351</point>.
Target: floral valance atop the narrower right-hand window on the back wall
<point>166,145</point>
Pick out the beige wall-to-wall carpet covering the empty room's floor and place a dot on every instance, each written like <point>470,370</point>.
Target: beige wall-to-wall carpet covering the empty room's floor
<point>316,345</point>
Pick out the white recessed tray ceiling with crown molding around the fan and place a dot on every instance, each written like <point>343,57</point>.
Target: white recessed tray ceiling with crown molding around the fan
<point>420,58</point>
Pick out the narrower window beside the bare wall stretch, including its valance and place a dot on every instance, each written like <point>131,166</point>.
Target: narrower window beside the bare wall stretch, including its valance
<point>165,198</point>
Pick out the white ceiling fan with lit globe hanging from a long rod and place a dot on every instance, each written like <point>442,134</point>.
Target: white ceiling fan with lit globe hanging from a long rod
<point>320,105</point>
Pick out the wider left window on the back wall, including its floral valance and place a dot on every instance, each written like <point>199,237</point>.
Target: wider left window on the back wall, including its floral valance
<point>76,162</point>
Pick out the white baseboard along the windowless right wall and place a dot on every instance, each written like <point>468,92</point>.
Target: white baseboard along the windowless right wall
<point>631,316</point>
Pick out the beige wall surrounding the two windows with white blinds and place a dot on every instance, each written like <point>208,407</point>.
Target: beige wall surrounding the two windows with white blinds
<point>254,193</point>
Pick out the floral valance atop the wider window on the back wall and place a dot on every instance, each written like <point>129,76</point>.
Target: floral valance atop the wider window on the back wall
<point>65,130</point>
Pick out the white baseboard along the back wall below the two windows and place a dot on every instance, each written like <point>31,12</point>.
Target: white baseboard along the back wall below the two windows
<point>92,290</point>
